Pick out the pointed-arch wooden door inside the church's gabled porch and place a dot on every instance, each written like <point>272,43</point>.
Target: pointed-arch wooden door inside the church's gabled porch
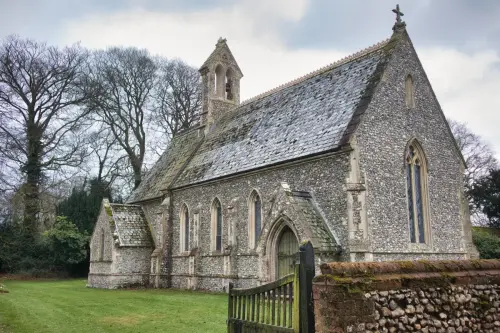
<point>288,248</point>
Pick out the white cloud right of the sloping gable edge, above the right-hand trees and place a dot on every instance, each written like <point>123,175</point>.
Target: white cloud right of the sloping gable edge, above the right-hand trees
<point>468,88</point>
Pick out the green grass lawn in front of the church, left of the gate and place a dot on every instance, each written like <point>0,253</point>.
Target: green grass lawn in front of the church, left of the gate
<point>67,306</point>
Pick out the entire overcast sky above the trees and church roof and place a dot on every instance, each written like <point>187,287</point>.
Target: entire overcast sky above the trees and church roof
<point>275,41</point>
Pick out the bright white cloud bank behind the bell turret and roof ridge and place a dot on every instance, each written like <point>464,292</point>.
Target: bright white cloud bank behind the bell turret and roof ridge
<point>250,28</point>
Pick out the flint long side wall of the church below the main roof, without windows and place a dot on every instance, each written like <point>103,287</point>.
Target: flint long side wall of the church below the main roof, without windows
<point>244,262</point>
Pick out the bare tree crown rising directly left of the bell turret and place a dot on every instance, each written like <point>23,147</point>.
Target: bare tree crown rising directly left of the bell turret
<point>177,96</point>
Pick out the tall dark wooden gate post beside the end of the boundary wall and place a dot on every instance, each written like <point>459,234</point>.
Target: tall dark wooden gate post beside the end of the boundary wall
<point>306,253</point>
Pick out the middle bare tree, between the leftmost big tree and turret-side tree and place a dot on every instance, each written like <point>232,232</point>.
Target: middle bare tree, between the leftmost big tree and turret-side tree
<point>124,78</point>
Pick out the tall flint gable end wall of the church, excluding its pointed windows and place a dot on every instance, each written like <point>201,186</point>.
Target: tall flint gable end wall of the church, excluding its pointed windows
<point>382,164</point>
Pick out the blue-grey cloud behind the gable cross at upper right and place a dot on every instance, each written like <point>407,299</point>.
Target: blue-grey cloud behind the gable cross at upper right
<point>463,24</point>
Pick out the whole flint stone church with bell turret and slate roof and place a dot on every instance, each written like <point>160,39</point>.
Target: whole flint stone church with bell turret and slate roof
<point>356,157</point>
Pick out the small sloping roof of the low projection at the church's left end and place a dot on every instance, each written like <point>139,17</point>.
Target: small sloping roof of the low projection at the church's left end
<point>131,227</point>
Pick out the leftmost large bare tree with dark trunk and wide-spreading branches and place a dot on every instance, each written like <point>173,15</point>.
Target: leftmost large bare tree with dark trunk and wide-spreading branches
<point>41,90</point>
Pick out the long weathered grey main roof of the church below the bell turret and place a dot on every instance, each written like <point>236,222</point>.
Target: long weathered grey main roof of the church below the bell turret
<point>311,115</point>
